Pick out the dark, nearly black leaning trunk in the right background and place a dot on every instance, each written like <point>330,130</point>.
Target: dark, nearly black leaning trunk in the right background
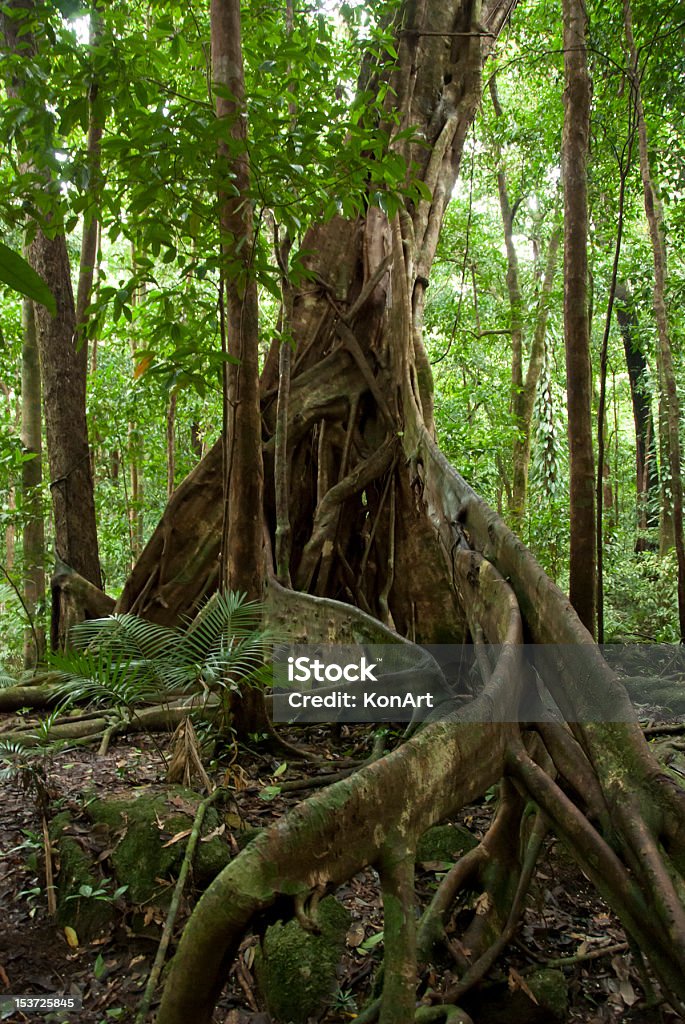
<point>647,468</point>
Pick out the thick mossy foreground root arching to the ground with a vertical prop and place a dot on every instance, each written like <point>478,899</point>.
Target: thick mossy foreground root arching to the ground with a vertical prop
<point>360,822</point>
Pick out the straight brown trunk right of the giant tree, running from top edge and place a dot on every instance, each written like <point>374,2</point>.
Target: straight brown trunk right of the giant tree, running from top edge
<point>577,333</point>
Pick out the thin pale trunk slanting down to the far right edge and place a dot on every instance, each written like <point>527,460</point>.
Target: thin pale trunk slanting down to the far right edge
<point>667,375</point>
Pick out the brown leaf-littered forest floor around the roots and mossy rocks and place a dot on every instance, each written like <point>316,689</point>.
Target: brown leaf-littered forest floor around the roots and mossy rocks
<point>565,919</point>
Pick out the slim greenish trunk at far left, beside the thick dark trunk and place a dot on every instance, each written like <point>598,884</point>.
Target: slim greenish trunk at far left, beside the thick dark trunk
<point>32,480</point>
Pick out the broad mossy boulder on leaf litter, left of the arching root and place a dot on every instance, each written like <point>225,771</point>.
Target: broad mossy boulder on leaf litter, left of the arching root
<point>141,828</point>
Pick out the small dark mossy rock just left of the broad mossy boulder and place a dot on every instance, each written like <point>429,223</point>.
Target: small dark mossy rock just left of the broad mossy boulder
<point>89,916</point>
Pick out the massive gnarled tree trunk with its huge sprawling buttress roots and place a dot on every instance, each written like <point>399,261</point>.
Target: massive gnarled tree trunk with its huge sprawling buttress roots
<point>379,520</point>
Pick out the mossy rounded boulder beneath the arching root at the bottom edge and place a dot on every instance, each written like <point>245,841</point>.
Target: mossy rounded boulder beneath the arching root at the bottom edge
<point>296,970</point>
